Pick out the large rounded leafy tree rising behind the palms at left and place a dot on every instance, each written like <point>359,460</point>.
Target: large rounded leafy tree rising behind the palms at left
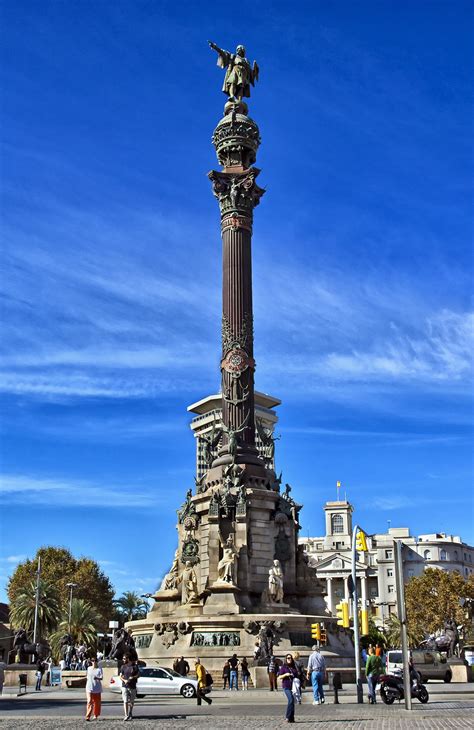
<point>59,567</point>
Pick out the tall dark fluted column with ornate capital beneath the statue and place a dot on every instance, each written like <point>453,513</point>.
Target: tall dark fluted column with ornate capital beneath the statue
<point>236,139</point>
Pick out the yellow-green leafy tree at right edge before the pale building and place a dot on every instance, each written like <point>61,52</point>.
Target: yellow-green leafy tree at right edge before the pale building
<point>434,597</point>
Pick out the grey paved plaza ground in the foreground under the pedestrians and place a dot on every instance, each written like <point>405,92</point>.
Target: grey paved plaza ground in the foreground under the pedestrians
<point>450,706</point>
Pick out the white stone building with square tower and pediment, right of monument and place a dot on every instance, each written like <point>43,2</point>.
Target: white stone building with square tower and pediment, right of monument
<point>332,555</point>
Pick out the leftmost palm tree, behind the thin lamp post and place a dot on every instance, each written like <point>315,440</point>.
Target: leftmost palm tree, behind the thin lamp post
<point>22,609</point>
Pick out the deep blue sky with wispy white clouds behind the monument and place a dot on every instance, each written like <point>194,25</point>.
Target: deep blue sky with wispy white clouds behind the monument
<point>111,264</point>
